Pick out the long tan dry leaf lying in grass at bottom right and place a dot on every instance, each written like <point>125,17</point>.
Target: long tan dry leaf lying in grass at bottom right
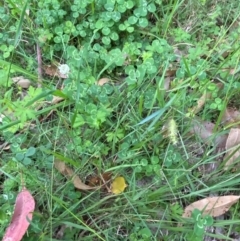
<point>213,206</point>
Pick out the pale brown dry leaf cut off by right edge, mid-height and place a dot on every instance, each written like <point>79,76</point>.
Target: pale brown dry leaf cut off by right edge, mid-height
<point>232,143</point>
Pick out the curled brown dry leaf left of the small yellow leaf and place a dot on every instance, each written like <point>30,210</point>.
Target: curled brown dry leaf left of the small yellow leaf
<point>69,173</point>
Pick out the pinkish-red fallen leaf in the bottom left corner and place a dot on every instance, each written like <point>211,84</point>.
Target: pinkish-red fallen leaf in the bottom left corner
<point>24,207</point>
